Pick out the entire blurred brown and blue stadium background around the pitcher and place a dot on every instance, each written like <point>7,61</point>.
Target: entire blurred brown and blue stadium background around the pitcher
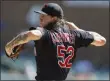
<point>91,63</point>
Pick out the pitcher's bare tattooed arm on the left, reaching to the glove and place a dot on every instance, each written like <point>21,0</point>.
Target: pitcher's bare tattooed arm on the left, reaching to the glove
<point>22,38</point>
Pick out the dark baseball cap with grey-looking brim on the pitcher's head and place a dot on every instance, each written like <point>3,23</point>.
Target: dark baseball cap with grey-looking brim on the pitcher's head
<point>52,9</point>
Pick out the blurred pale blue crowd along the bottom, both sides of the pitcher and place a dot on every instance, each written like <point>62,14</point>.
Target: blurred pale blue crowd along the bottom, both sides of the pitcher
<point>25,69</point>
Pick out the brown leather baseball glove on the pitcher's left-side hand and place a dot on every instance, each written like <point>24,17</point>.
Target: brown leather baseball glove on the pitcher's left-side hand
<point>16,52</point>
